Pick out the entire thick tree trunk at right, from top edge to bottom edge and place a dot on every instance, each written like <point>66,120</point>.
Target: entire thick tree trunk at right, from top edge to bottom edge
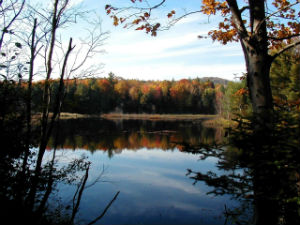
<point>258,64</point>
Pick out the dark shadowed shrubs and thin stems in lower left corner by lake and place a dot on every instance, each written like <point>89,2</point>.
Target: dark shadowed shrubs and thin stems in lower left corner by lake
<point>16,203</point>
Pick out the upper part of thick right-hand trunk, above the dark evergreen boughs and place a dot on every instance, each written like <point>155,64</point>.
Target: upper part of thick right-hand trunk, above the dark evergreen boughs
<point>258,62</point>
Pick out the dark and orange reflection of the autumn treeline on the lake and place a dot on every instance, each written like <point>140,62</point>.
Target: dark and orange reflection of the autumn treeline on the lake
<point>113,137</point>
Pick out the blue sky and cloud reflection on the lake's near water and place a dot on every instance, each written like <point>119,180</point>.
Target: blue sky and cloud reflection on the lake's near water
<point>153,185</point>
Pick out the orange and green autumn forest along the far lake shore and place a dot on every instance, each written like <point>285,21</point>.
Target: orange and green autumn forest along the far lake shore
<point>94,96</point>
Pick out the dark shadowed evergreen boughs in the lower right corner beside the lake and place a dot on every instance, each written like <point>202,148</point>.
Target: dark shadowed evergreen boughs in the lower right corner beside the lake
<point>262,171</point>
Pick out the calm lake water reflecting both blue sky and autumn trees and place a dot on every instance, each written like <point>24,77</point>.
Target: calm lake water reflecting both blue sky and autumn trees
<point>147,163</point>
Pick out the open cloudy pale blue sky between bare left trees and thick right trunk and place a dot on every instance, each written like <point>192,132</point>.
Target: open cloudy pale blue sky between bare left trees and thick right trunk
<point>174,54</point>
